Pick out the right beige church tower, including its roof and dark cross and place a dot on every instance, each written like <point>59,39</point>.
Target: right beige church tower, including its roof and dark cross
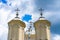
<point>42,28</point>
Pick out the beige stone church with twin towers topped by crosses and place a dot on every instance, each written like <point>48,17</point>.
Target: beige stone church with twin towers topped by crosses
<point>16,29</point>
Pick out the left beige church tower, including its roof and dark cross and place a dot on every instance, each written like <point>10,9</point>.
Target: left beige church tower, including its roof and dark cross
<point>16,29</point>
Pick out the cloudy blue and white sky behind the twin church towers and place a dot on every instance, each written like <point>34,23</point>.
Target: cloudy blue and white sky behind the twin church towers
<point>29,11</point>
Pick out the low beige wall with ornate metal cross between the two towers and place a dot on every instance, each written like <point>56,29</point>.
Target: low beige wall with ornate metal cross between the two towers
<point>29,35</point>
